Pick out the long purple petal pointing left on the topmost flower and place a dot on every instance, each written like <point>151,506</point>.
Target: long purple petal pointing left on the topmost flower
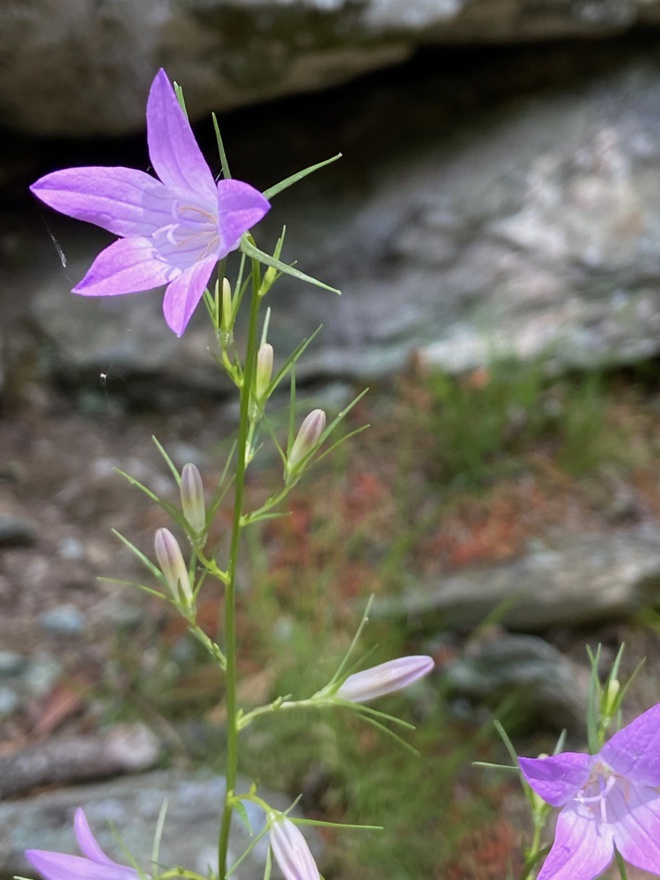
<point>122,200</point>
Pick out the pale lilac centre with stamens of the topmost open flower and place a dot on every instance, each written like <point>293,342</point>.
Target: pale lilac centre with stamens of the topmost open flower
<point>193,234</point>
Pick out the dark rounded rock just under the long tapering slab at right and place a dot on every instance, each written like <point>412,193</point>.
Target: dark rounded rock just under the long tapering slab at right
<point>525,677</point>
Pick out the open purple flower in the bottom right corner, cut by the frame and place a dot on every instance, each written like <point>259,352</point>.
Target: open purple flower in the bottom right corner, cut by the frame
<point>607,800</point>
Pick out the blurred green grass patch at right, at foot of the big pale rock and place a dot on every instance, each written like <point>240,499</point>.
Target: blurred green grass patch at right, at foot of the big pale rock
<point>484,424</point>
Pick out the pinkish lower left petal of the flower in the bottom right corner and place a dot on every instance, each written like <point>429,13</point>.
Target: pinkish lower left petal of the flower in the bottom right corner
<point>580,852</point>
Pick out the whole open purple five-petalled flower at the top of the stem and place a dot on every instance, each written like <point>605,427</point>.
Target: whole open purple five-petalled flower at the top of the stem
<point>173,230</point>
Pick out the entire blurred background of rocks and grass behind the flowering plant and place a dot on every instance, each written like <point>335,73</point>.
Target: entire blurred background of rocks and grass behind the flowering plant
<point>494,225</point>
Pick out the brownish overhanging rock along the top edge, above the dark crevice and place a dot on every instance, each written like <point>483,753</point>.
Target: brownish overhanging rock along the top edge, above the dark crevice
<point>82,67</point>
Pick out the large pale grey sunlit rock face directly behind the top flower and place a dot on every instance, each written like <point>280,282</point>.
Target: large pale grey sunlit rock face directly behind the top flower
<point>532,229</point>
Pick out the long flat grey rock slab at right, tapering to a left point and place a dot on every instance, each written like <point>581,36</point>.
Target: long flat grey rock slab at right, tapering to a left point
<point>588,579</point>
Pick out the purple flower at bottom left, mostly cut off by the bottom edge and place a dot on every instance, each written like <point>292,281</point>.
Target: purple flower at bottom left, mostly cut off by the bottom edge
<point>92,865</point>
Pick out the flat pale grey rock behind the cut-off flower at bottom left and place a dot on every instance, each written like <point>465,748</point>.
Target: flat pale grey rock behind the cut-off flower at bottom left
<point>128,809</point>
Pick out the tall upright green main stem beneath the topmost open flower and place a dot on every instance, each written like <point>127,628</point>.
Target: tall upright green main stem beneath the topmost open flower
<point>231,768</point>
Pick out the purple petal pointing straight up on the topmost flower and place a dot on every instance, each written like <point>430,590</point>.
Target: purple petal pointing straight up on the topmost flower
<point>173,150</point>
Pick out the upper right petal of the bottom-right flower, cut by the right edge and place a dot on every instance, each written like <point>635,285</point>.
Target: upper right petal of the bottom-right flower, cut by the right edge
<point>634,752</point>
